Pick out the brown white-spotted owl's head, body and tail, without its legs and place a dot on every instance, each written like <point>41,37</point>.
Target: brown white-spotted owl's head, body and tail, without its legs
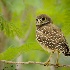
<point>50,36</point>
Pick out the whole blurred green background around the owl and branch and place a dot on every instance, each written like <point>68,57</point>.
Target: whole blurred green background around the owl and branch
<point>17,32</point>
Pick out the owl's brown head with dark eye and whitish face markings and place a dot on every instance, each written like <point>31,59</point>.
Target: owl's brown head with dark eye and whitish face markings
<point>43,19</point>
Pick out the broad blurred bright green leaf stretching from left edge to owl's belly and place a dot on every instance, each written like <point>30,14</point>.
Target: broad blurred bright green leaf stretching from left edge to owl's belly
<point>13,52</point>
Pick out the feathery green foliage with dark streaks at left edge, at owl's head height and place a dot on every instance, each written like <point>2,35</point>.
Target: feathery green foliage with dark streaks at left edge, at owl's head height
<point>9,28</point>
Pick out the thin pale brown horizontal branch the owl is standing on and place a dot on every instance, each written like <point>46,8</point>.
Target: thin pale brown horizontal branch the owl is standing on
<point>32,62</point>
